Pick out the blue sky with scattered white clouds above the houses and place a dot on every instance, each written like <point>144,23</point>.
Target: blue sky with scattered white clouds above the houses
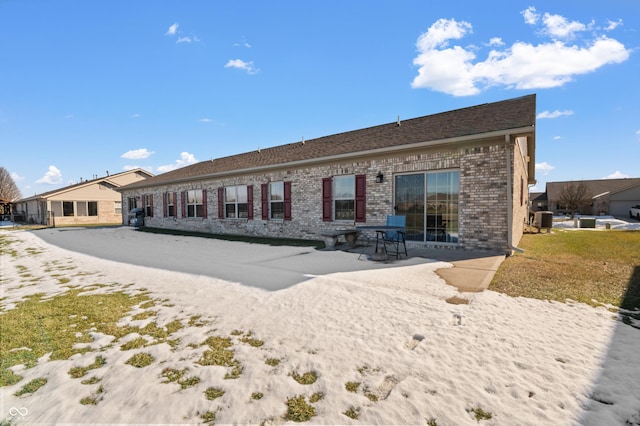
<point>88,87</point>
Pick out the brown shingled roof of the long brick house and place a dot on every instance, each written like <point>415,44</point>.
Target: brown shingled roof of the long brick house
<point>491,117</point>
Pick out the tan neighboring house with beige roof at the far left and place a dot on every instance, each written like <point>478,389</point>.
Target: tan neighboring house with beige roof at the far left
<point>93,201</point>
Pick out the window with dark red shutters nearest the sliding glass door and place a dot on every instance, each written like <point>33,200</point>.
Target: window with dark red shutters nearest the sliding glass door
<point>344,198</point>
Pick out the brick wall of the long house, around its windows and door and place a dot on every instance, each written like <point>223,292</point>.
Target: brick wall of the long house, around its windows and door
<point>483,199</point>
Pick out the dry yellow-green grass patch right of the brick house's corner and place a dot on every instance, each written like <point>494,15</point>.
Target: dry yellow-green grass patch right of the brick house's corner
<point>591,267</point>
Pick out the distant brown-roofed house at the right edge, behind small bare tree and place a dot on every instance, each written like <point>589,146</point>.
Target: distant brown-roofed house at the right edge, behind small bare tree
<point>604,196</point>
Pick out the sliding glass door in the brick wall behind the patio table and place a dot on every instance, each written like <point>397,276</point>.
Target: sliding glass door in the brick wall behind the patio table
<point>430,203</point>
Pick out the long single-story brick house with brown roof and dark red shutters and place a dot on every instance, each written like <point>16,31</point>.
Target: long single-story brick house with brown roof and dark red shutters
<point>460,177</point>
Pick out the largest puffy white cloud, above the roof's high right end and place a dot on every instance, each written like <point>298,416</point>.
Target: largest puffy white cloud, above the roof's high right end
<point>455,70</point>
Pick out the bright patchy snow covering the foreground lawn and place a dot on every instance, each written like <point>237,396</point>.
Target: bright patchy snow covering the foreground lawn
<point>416,358</point>
